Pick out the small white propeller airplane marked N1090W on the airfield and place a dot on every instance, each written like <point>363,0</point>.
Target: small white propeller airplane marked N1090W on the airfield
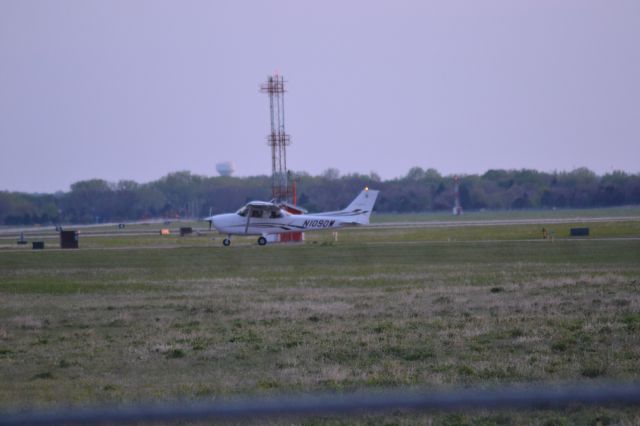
<point>266,218</point>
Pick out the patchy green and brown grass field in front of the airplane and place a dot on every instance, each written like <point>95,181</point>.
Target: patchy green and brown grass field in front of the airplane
<point>164,318</point>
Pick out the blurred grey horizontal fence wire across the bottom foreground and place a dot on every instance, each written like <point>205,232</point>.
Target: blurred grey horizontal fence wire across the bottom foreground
<point>257,408</point>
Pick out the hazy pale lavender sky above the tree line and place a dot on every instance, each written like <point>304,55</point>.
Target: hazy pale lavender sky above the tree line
<point>136,89</point>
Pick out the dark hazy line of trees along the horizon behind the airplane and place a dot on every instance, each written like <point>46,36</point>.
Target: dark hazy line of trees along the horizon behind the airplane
<point>182,194</point>
